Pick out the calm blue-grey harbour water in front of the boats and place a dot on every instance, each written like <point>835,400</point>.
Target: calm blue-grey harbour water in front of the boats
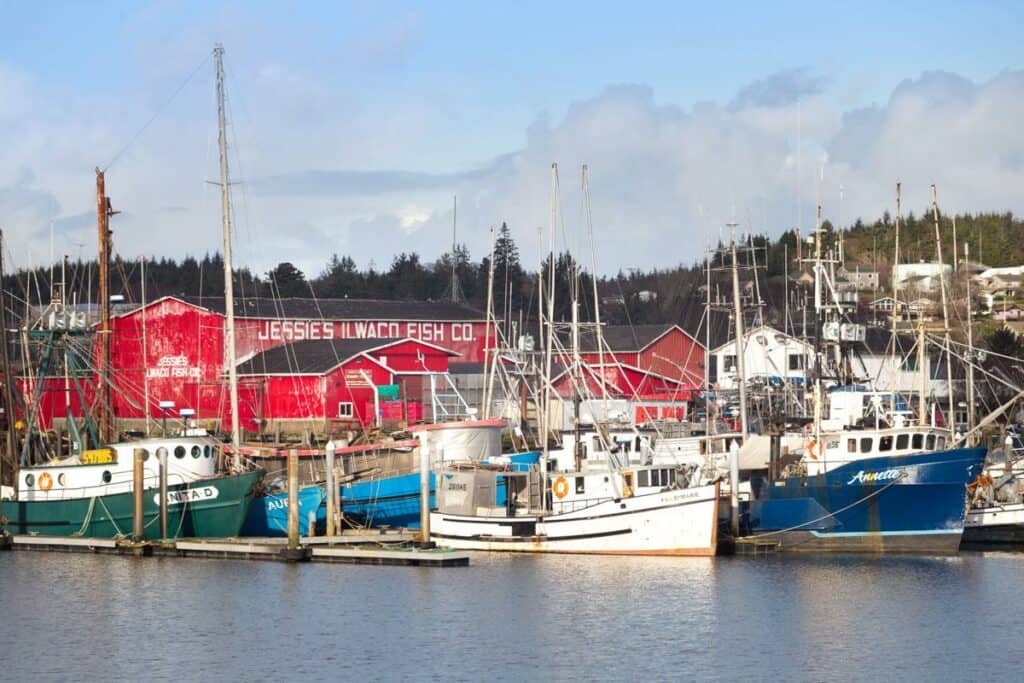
<point>513,618</point>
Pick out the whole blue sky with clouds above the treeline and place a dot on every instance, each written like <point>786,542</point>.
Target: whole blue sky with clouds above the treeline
<point>354,125</point>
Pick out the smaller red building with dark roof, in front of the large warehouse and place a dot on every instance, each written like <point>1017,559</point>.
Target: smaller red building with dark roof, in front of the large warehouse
<point>337,381</point>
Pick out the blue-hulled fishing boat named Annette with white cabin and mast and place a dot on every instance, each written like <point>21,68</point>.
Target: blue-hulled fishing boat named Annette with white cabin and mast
<point>872,479</point>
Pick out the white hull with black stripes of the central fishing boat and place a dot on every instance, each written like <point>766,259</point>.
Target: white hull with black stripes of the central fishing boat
<point>672,523</point>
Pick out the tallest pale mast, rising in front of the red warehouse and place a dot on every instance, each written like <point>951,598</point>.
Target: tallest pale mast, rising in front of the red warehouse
<point>226,212</point>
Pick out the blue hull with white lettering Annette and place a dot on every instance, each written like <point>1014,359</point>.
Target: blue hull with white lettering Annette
<point>898,504</point>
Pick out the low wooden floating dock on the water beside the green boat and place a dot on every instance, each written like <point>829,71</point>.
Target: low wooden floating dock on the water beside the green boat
<point>395,548</point>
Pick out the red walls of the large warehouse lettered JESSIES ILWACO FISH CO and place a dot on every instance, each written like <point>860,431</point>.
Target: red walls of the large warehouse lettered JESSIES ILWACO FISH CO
<point>173,350</point>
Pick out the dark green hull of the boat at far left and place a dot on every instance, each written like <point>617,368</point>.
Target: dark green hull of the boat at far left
<point>207,508</point>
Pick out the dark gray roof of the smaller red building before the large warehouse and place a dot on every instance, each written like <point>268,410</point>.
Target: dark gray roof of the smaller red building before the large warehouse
<point>309,357</point>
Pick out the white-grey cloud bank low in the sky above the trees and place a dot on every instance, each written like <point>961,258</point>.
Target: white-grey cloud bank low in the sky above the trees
<point>664,178</point>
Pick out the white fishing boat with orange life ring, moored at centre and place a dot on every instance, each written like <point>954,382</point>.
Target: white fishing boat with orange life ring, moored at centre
<point>643,511</point>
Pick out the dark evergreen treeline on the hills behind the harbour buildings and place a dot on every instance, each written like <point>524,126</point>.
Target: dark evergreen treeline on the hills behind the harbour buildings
<point>671,295</point>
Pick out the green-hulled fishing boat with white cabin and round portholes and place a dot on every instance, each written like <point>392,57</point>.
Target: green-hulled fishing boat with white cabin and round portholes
<point>92,495</point>
